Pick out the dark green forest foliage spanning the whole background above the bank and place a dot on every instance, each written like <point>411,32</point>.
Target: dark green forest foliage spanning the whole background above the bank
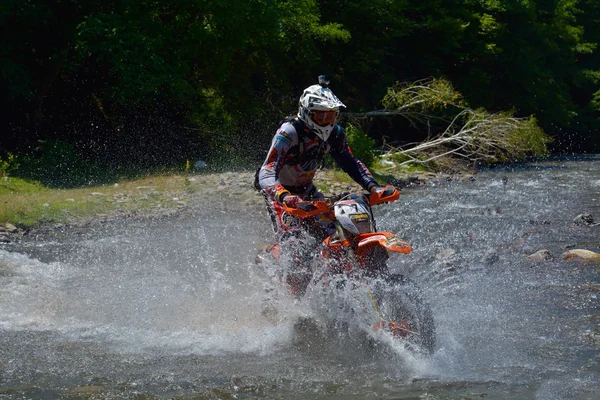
<point>198,76</point>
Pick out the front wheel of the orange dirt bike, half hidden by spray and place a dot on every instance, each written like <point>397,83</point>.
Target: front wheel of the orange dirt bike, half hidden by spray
<point>403,312</point>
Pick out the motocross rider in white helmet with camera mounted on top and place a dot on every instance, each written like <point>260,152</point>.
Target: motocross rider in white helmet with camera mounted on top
<point>286,176</point>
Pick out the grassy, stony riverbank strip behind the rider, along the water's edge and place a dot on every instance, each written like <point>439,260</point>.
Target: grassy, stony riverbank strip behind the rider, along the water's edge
<point>38,209</point>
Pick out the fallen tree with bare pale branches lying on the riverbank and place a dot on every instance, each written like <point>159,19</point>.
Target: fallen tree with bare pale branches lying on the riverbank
<point>471,135</point>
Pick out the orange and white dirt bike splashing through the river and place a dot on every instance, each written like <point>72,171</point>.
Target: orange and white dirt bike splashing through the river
<point>353,260</point>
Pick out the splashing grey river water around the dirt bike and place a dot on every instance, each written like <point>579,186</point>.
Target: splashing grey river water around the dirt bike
<point>176,308</point>
